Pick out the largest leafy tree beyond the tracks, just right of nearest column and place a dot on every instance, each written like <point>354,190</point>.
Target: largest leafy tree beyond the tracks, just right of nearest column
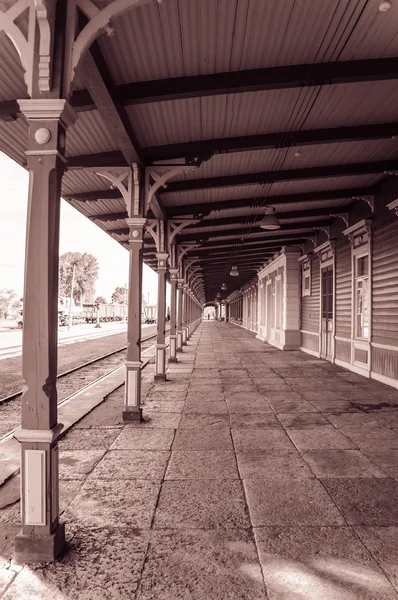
<point>86,274</point>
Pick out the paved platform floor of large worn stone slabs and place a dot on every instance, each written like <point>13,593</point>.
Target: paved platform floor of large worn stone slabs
<point>257,474</point>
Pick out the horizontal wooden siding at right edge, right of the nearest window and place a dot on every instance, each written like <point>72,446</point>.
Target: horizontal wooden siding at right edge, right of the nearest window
<point>385,285</point>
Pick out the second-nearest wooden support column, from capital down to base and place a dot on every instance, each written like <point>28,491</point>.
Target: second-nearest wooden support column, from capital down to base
<point>132,409</point>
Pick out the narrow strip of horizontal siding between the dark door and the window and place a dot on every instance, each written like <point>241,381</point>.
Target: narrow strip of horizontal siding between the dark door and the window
<point>343,290</point>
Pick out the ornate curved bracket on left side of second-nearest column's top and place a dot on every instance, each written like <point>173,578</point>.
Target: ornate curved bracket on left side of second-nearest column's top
<point>127,181</point>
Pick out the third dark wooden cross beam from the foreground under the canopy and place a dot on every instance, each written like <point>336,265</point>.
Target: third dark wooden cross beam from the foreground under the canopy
<point>366,168</point>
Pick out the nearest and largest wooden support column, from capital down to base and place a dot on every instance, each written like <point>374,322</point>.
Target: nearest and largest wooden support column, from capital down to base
<point>42,537</point>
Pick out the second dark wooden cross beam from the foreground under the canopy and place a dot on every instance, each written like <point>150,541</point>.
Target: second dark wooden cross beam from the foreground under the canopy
<point>271,140</point>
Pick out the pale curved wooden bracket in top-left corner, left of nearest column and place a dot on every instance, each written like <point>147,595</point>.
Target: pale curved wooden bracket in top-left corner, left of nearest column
<point>41,12</point>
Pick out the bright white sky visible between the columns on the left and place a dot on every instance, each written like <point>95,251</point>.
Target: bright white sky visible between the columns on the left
<point>77,234</point>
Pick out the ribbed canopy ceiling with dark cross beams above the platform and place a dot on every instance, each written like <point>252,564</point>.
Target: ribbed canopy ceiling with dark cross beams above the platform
<point>290,104</point>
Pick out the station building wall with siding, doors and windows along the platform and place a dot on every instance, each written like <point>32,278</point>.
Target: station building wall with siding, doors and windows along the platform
<point>362,260</point>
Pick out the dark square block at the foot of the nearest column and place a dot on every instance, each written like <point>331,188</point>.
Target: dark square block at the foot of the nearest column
<point>30,548</point>
